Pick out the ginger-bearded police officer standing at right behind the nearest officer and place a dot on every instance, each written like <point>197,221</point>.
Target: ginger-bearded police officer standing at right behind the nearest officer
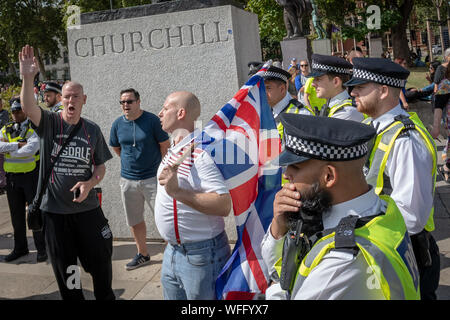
<point>402,163</point>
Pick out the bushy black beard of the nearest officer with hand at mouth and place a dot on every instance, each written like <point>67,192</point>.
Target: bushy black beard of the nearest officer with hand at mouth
<point>315,202</point>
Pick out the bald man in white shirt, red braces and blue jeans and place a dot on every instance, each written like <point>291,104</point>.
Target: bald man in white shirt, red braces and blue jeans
<point>191,203</point>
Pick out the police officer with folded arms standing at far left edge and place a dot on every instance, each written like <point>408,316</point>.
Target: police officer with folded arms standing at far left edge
<point>20,144</point>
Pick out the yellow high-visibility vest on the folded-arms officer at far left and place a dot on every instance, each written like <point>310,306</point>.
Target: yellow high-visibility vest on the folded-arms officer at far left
<point>18,164</point>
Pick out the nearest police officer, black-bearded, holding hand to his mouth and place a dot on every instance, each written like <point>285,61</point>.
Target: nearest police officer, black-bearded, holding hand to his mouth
<point>353,244</point>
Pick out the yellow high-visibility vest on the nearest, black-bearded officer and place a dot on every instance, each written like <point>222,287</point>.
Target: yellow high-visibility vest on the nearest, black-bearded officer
<point>386,247</point>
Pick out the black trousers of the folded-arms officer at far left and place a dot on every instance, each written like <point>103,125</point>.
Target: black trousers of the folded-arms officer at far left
<point>20,190</point>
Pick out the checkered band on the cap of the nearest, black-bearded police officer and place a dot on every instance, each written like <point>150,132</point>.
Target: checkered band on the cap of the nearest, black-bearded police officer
<point>321,151</point>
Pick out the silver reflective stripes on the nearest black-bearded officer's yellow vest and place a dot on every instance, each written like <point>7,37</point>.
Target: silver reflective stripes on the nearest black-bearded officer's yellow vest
<point>386,268</point>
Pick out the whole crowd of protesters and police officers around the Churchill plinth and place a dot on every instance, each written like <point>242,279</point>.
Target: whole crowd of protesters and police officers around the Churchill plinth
<point>359,173</point>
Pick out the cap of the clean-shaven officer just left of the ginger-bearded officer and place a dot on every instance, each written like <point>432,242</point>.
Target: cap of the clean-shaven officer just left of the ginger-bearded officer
<point>322,64</point>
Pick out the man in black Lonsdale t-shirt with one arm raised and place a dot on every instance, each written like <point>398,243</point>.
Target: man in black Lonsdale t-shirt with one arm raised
<point>74,224</point>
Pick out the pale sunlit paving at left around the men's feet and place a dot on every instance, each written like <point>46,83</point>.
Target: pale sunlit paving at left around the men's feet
<point>26,279</point>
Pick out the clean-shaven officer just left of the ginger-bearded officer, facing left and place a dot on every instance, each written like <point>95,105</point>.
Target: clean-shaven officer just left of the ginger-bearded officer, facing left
<point>329,73</point>
